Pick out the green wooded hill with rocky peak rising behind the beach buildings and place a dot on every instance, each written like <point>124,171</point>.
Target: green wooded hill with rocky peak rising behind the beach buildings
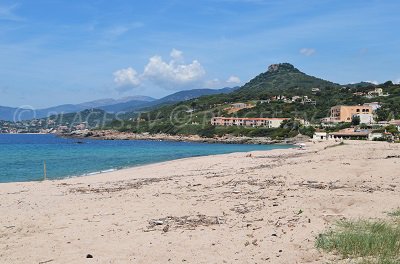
<point>282,91</point>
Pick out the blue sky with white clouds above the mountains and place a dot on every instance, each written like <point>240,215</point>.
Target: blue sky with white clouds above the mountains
<point>66,51</point>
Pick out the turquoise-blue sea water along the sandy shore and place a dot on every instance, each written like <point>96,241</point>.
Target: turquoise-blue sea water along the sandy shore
<point>22,155</point>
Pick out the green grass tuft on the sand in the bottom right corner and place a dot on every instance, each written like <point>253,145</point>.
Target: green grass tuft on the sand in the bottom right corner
<point>367,241</point>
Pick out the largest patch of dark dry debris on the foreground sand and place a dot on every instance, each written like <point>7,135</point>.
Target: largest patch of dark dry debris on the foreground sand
<point>183,222</point>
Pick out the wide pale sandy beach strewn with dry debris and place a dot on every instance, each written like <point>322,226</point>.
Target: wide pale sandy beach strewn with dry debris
<point>258,207</point>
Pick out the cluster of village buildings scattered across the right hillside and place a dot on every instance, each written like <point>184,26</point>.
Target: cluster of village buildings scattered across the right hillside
<point>358,120</point>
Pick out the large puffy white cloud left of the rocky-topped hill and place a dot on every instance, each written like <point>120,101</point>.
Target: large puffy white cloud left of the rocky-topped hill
<point>173,74</point>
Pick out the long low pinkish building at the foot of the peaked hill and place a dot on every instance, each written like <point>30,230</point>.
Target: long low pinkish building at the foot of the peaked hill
<point>248,122</point>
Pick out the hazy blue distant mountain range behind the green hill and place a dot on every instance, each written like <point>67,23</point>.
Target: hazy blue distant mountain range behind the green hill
<point>126,104</point>
